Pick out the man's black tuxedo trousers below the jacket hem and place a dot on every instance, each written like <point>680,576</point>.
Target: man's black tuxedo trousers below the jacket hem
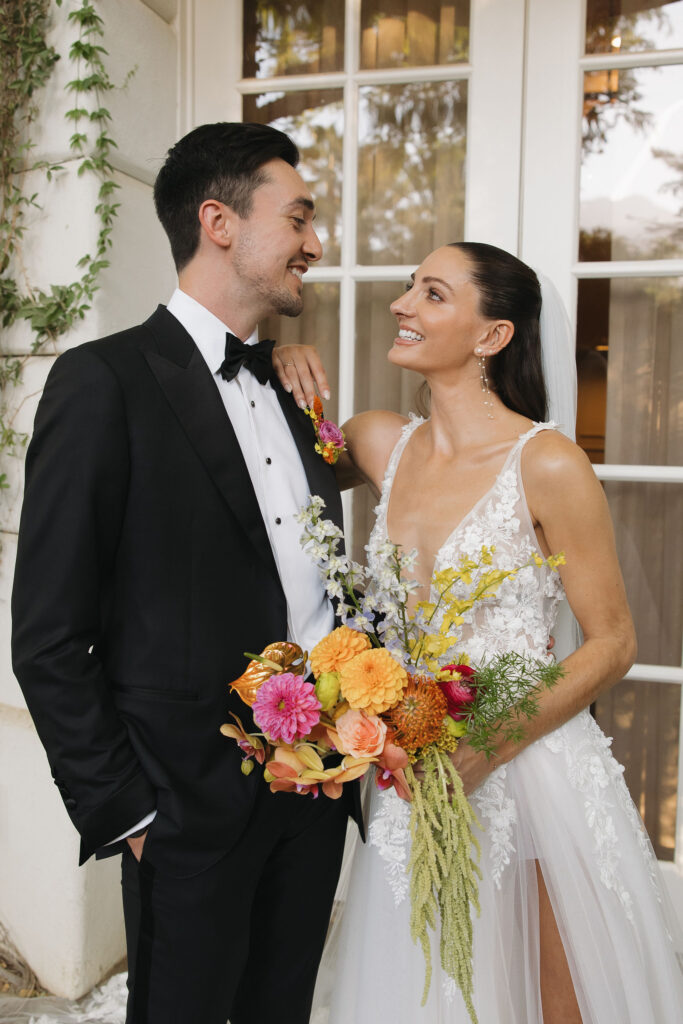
<point>242,941</point>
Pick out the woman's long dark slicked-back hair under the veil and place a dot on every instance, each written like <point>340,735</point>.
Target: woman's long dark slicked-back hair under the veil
<point>510,290</point>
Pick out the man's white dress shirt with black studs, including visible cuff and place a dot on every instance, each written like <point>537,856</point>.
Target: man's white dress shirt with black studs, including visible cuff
<point>279,479</point>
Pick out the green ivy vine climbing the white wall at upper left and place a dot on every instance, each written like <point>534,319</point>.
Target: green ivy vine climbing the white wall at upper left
<point>27,61</point>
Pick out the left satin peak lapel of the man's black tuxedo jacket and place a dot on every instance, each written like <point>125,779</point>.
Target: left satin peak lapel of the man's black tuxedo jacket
<point>196,402</point>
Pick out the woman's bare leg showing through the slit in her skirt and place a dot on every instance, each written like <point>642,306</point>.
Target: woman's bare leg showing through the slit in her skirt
<point>558,995</point>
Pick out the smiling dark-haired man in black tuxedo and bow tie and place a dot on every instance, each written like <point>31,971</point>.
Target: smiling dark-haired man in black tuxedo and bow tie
<point>158,543</point>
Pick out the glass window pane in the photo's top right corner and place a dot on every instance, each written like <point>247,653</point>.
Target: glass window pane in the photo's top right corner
<point>627,26</point>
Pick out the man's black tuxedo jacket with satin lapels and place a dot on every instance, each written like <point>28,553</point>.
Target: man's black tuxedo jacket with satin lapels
<point>144,573</point>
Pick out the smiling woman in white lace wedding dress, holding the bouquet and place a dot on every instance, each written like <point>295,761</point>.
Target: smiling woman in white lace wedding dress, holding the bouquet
<point>574,925</point>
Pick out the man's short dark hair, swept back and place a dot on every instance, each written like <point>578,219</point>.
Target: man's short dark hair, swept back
<point>223,161</point>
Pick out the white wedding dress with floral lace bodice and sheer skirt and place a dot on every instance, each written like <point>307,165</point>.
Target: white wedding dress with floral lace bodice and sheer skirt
<point>563,802</point>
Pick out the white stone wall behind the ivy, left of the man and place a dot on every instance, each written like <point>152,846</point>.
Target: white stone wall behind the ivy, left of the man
<point>67,921</point>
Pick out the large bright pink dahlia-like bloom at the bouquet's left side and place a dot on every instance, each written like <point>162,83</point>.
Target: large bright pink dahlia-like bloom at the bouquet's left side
<point>286,708</point>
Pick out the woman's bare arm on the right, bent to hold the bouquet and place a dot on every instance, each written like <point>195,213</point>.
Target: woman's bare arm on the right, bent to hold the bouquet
<point>571,513</point>
